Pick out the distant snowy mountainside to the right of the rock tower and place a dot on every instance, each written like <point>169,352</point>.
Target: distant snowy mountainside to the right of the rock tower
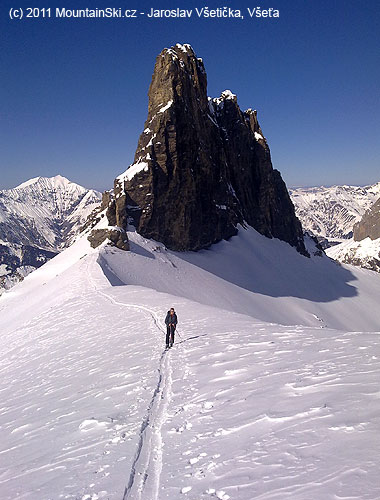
<point>332,212</point>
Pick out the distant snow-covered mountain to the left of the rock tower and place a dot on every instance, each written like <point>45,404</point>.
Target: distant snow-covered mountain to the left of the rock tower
<point>38,219</point>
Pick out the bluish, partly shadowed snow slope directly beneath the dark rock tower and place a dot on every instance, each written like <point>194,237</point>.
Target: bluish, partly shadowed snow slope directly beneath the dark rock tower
<point>254,275</point>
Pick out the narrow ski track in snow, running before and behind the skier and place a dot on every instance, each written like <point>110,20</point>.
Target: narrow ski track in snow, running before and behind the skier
<point>144,478</point>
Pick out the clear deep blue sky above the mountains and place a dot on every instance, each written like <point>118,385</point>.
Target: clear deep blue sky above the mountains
<point>74,91</point>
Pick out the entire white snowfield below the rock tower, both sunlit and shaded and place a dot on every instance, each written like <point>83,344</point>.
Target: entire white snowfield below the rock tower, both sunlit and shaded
<point>241,408</point>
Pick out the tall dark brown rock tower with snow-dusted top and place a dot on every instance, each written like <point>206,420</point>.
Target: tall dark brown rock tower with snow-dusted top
<point>202,166</point>
